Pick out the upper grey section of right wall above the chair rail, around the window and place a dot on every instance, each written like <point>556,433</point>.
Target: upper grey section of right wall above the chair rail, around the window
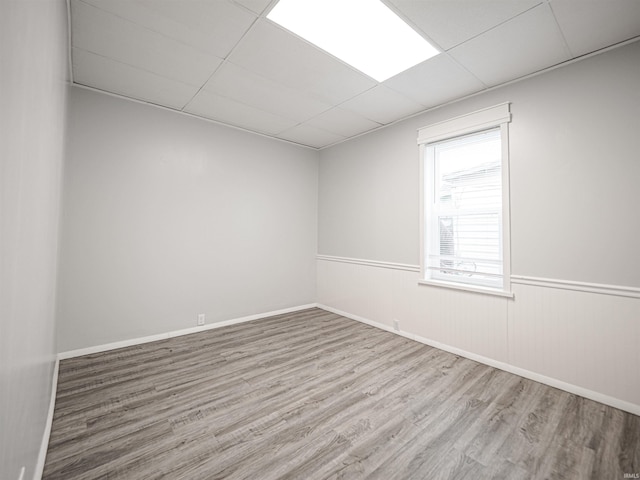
<point>574,149</point>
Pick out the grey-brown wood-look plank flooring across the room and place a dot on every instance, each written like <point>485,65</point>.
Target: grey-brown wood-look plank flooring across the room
<point>313,395</point>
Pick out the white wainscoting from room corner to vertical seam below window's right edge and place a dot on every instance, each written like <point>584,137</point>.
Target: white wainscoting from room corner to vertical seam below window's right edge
<point>472,322</point>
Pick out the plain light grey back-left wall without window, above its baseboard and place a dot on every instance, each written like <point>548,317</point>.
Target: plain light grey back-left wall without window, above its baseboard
<point>167,216</point>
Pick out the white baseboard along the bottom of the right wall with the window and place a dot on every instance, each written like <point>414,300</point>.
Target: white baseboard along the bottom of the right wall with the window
<point>552,382</point>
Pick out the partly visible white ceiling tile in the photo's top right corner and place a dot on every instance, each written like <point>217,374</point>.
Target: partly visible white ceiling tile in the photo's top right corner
<point>590,25</point>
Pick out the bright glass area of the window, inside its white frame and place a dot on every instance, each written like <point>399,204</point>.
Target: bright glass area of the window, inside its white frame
<point>466,206</point>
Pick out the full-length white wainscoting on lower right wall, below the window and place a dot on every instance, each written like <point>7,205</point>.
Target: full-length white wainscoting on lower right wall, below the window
<point>582,341</point>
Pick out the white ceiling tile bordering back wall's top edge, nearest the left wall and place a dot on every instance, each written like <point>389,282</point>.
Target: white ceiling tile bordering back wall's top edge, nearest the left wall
<point>106,74</point>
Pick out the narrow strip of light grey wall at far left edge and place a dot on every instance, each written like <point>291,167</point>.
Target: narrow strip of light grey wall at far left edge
<point>33,69</point>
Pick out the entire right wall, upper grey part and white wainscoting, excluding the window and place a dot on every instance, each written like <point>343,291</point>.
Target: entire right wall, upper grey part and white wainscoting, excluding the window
<point>574,147</point>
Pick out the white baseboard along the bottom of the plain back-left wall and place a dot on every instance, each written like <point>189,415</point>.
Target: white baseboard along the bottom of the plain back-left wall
<point>176,333</point>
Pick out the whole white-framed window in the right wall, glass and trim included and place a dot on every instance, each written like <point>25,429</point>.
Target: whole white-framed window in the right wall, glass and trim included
<point>465,209</point>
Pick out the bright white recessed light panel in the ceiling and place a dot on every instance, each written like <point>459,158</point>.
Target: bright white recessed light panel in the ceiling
<point>366,34</point>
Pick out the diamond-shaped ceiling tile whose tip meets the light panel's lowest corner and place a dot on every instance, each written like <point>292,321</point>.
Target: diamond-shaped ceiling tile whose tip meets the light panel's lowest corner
<point>382,105</point>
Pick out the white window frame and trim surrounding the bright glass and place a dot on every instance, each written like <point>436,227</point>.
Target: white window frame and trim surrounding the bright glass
<point>498,116</point>
